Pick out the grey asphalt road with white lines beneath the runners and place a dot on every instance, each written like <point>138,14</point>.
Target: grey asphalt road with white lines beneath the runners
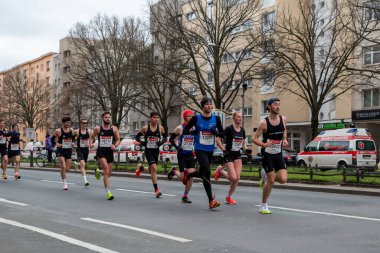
<point>36,215</point>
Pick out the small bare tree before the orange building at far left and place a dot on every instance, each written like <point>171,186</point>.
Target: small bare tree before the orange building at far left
<point>26,100</point>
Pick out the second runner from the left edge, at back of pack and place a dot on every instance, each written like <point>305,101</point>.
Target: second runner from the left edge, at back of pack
<point>14,153</point>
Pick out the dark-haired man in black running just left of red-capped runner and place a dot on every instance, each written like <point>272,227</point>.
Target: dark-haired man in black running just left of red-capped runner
<point>154,137</point>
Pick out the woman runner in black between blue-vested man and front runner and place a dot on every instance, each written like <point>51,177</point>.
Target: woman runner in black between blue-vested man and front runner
<point>235,141</point>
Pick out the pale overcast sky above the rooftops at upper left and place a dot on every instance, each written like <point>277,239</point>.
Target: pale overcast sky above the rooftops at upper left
<point>31,28</point>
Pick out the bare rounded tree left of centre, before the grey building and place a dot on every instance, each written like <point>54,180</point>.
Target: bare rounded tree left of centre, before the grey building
<point>105,61</point>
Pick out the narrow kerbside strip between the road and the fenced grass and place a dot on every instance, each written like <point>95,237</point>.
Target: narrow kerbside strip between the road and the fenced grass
<point>336,188</point>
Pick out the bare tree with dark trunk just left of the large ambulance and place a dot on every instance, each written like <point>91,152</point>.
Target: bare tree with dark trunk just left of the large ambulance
<point>317,51</point>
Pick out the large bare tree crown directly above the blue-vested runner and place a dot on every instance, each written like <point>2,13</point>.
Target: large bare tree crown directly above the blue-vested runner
<point>212,40</point>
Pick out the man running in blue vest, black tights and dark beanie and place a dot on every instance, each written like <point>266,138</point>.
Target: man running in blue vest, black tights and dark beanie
<point>207,126</point>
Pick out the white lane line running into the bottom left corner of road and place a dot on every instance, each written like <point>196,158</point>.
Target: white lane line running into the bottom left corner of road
<point>58,236</point>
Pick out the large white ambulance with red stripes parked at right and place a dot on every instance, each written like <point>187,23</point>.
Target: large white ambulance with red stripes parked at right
<point>342,148</point>
